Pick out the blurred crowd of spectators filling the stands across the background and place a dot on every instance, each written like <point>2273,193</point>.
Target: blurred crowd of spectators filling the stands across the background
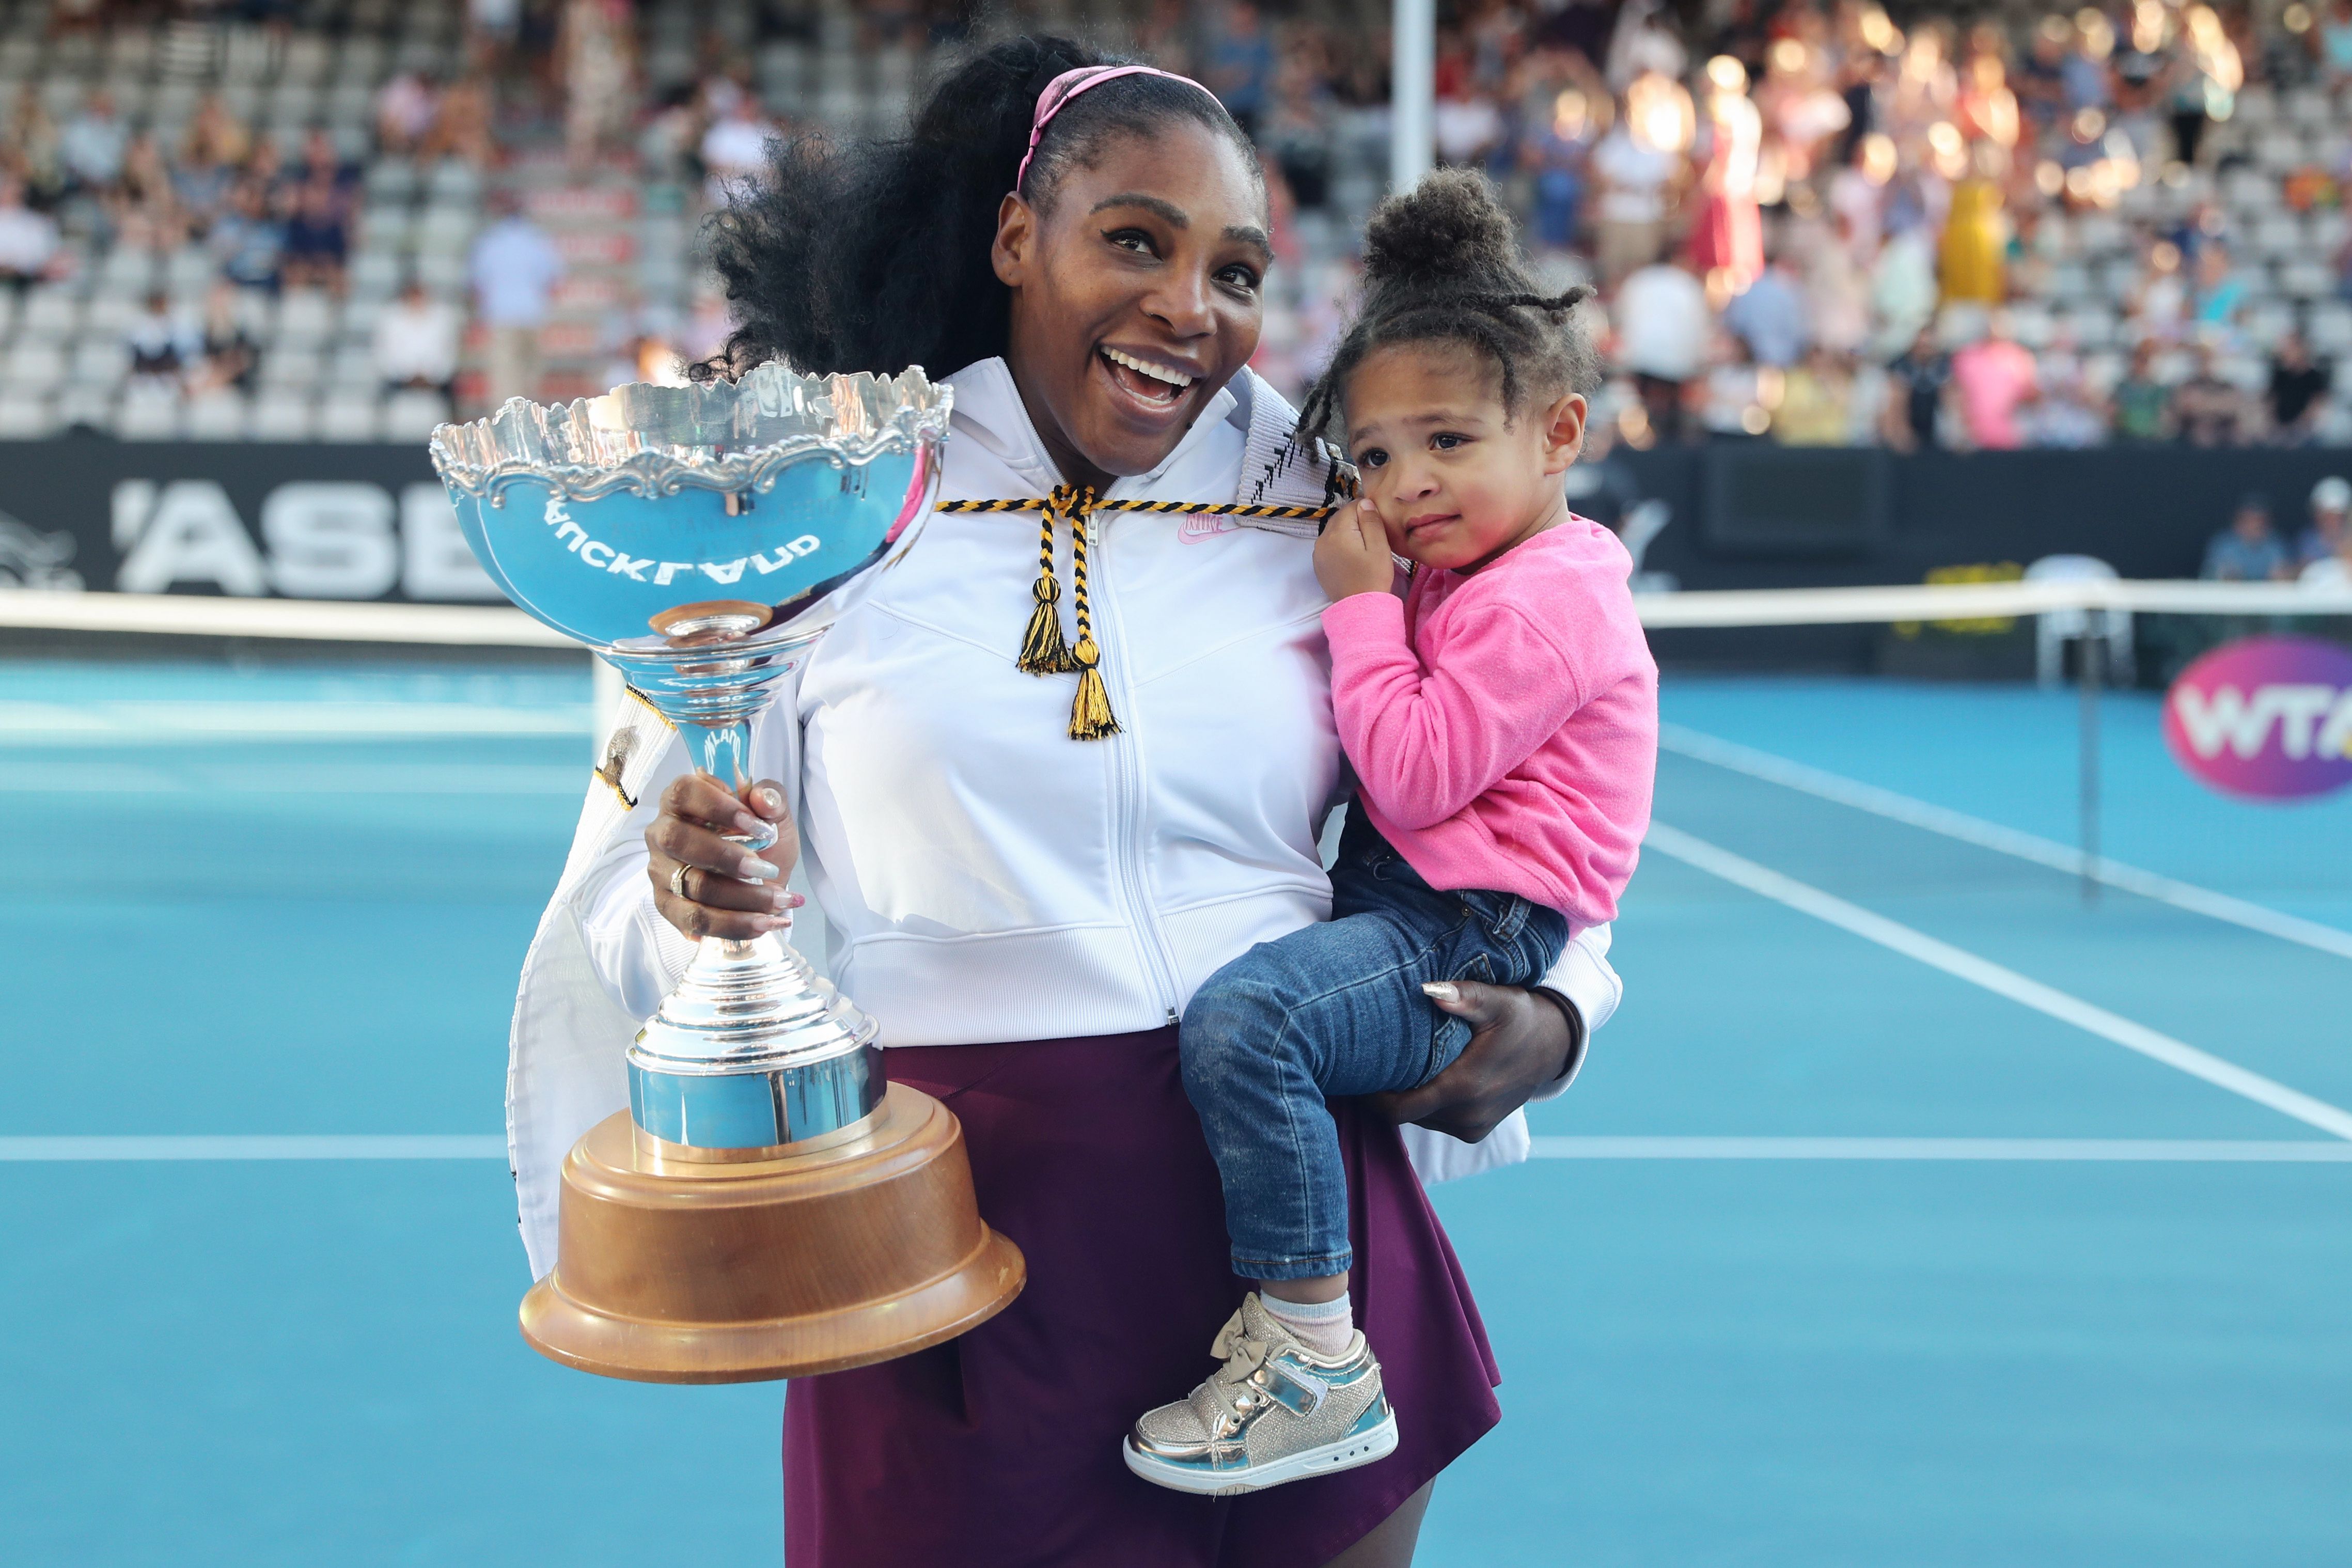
<point>1812,225</point>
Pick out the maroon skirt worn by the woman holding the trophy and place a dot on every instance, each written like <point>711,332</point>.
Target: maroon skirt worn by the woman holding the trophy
<point>1003,1447</point>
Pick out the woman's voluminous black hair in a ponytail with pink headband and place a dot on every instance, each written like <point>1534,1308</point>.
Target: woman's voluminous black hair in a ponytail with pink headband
<point>876,255</point>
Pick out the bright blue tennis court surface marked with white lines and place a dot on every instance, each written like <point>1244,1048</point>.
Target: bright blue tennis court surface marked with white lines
<point>1913,1212</point>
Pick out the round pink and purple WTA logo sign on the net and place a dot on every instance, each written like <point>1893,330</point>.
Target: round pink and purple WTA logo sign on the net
<point>2269,718</point>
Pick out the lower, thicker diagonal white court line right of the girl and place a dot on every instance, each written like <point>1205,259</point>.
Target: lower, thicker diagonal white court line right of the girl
<point>1998,979</point>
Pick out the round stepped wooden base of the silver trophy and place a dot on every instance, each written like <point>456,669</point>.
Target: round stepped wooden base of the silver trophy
<point>679,1266</point>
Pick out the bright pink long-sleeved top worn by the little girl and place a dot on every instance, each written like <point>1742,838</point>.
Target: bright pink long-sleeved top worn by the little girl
<point>1504,725</point>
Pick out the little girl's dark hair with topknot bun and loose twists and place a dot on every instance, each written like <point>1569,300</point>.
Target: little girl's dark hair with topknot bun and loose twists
<point>1443,267</point>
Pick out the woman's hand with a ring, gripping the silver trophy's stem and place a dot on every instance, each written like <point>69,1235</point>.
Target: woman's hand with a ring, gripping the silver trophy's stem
<point>704,880</point>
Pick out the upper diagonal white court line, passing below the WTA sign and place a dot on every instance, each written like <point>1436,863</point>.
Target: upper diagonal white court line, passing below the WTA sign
<point>2005,840</point>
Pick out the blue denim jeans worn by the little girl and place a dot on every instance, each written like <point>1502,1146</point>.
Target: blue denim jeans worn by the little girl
<point>1337,1010</point>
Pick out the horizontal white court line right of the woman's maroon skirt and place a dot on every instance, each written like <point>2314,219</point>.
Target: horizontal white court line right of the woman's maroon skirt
<point>2153,1151</point>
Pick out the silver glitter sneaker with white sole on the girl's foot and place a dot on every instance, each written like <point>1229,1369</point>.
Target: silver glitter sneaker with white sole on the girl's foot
<point>1274,1414</point>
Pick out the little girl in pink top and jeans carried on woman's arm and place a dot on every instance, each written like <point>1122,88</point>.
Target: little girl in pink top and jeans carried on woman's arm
<point>1504,728</point>
